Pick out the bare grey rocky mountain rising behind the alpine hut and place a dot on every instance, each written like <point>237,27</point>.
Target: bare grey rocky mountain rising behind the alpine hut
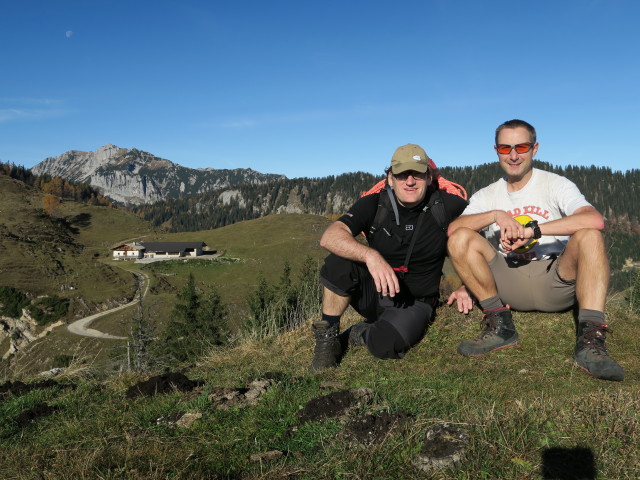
<point>134,177</point>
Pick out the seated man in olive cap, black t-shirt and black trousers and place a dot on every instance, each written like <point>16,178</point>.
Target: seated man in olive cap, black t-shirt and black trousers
<point>394,280</point>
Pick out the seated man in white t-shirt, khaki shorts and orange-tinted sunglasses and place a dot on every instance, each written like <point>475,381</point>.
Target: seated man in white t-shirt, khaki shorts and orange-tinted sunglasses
<point>543,251</point>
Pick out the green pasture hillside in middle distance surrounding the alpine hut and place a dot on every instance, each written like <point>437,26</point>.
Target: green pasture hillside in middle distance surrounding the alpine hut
<point>245,252</point>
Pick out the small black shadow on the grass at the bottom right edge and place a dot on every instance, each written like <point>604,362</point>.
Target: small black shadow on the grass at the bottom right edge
<point>576,463</point>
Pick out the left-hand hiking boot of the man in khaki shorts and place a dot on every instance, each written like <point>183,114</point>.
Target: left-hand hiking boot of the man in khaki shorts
<point>498,332</point>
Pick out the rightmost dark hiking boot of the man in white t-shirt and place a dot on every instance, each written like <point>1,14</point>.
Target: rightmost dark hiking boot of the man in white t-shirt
<point>591,355</point>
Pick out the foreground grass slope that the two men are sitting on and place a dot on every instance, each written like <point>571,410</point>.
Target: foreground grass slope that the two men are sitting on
<point>527,411</point>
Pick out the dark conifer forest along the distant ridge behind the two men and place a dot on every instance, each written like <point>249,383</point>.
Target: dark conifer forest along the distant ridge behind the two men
<point>615,194</point>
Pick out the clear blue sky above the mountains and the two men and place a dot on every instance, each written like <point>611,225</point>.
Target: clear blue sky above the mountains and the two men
<point>315,88</point>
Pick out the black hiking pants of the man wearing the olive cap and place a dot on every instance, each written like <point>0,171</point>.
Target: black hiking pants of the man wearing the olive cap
<point>397,323</point>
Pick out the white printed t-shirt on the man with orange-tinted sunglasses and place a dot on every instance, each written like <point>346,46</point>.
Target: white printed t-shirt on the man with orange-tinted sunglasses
<point>545,197</point>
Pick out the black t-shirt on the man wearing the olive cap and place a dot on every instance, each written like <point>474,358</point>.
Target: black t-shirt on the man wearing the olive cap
<point>427,257</point>
